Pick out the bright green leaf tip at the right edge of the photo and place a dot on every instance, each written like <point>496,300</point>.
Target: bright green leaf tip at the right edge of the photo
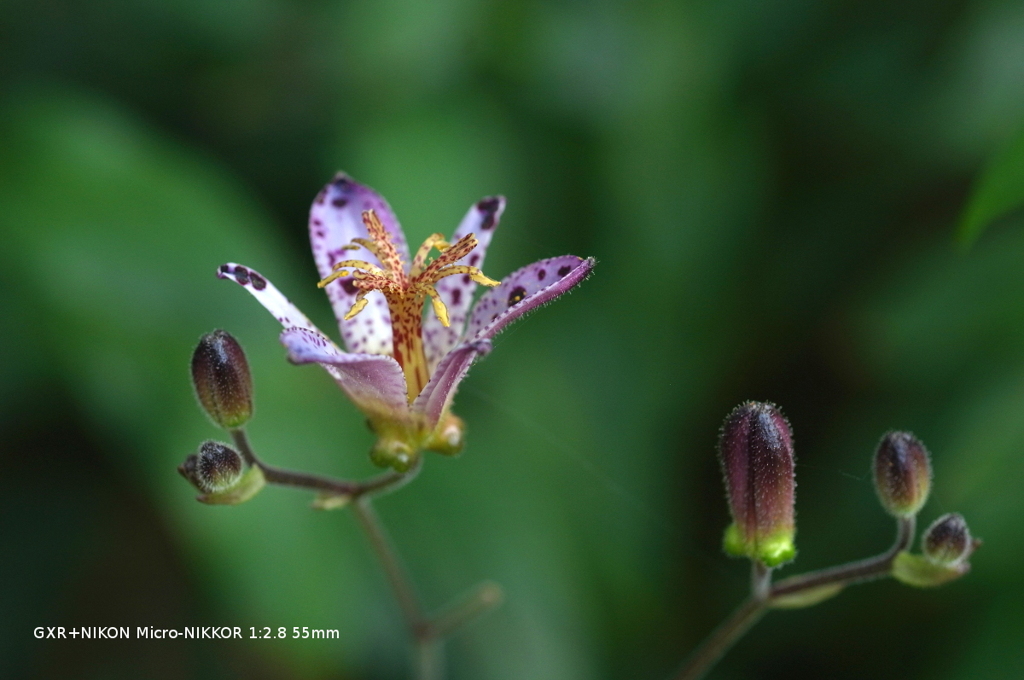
<point>998,193</point>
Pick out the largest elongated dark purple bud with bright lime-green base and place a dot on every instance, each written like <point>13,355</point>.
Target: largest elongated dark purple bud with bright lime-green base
<point>756,452</point>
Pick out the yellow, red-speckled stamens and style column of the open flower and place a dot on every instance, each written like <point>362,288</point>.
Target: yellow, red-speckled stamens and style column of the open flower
<point>406,293</point>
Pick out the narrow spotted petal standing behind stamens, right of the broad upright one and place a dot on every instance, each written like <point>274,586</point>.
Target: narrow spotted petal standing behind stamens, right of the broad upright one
<point>457,292</point>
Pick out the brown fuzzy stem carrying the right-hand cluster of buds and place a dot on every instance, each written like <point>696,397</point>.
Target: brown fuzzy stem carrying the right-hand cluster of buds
<point>763,593</point>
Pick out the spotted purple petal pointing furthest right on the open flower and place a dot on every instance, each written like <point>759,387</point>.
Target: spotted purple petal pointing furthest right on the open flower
<point>524,291</point>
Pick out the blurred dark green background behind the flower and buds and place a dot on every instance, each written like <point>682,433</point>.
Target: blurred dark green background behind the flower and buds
<point>772,191</point>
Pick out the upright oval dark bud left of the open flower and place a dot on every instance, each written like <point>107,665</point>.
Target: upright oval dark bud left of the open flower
<point>221,374</point>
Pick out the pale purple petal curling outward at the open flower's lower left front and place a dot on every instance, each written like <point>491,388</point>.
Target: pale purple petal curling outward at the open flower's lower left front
<point>374,382</point>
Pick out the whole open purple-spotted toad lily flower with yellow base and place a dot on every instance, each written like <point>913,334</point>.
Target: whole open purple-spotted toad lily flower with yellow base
<point>403,367</point>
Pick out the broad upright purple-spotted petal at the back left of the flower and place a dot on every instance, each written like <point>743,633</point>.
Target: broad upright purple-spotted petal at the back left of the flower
<point>336,219</point>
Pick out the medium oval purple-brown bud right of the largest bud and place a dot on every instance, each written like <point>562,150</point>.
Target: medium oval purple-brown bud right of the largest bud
<point>903,474</point>
